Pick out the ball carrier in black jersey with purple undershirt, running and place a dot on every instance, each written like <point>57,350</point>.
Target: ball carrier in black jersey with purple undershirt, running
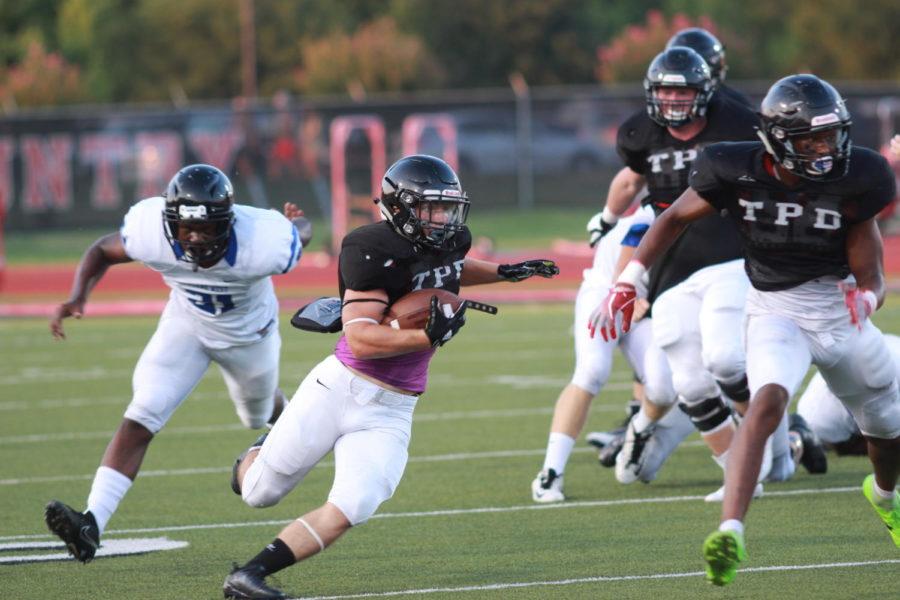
<point>359,401</point>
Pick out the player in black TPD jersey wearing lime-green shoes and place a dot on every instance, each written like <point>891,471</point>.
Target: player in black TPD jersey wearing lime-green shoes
<point>805,210</point>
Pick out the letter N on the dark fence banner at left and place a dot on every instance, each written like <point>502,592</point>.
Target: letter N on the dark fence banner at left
<point>47,168</point>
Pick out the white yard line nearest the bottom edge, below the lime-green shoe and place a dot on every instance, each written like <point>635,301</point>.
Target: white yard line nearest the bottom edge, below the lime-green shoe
<point>597,579</point>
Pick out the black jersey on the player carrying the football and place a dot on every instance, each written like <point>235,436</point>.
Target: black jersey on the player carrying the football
<point>375,257</point>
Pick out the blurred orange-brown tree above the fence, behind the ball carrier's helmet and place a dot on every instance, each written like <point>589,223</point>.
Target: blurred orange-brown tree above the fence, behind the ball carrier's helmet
<point>377,56</point>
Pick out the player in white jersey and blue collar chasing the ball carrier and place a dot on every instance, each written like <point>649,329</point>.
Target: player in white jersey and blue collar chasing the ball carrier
<point>218,258</point>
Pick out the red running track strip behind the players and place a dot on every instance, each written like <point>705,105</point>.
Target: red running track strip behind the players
<point>34,290</point>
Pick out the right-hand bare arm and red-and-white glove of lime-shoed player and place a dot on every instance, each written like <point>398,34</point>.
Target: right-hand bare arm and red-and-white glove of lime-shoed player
<point>865,257</point>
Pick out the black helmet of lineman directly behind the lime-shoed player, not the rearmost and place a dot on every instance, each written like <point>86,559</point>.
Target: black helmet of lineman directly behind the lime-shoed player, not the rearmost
<point>683,68</point>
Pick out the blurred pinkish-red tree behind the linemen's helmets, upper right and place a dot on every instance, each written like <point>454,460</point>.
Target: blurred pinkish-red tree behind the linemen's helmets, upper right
<point>628,54</point>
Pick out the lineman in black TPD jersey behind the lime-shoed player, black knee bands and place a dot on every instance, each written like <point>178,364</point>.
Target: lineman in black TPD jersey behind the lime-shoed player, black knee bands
<point>697,292</point>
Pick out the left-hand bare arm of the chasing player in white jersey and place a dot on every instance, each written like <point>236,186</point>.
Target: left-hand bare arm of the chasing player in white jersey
<point>106,251</point>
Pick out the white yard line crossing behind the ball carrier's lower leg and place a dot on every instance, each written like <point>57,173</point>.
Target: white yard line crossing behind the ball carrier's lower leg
<point>455,512</point>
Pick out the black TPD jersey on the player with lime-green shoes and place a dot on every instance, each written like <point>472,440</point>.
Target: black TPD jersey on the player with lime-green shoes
<point>791,235</point>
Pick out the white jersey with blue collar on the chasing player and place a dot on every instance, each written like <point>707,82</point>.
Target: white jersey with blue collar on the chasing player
<point>232,302</point>
